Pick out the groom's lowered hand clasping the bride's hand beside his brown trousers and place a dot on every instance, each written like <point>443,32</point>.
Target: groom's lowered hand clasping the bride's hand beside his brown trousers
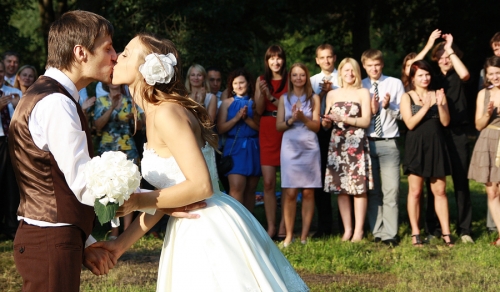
<point>98,260</point>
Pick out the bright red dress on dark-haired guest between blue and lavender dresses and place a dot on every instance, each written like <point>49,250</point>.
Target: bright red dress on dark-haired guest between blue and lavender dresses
<point>269,137</point>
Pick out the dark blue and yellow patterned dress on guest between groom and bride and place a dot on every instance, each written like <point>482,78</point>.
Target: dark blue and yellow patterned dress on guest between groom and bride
<point>116,135</point>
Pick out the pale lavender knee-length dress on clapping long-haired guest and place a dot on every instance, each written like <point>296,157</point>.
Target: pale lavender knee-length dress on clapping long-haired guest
<point>300,157</point>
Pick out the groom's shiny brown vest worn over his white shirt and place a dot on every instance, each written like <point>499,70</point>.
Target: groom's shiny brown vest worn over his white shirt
<point>45,195</point>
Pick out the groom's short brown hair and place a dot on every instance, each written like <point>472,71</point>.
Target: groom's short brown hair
<point>74,28</point>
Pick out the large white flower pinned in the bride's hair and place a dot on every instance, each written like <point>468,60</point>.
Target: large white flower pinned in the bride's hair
<point>158,68</point>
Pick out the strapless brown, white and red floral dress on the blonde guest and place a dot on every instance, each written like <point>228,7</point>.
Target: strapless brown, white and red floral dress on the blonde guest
<point>348,168</point>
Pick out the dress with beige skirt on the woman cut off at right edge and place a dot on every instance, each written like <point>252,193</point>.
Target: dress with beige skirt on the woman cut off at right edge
<point>482,165</point>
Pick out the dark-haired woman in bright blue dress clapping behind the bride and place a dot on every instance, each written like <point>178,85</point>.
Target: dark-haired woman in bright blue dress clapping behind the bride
<point>236,118</point>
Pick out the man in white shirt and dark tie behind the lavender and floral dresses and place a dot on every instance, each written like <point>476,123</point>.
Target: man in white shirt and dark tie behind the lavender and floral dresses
<point>322,83</point>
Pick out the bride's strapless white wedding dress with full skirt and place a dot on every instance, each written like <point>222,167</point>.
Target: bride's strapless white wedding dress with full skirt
<point>226,249</point>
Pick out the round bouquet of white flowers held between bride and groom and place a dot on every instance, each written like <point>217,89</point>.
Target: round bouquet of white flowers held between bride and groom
<point>111,179</point>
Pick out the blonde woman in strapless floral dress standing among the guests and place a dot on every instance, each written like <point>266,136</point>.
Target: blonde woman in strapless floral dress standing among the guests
<point>348,170</point>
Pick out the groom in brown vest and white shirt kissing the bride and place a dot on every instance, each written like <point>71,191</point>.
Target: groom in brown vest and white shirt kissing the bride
<point>49,144</point>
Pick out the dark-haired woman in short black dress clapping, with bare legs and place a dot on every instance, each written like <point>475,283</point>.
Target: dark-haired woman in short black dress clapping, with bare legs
<point>425,113</point>
